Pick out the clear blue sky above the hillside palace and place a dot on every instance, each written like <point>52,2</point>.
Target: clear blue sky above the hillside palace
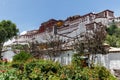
<point>29,14</point>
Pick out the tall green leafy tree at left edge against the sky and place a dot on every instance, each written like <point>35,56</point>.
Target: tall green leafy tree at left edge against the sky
<point>7,31</point>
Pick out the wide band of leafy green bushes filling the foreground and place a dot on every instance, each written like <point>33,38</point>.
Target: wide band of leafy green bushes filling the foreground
<point>34,69</point>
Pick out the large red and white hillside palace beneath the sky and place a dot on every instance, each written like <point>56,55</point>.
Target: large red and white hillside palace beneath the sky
<point>70,27</point>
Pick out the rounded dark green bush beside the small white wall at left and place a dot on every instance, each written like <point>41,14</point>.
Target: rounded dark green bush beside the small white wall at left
<point>22,56</point>
